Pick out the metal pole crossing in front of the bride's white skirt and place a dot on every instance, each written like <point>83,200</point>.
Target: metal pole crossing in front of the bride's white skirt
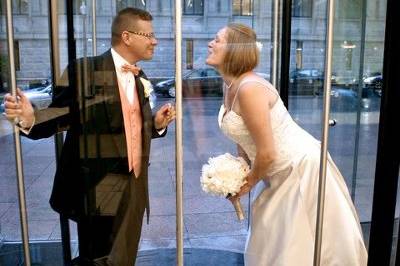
<point>325,133</point>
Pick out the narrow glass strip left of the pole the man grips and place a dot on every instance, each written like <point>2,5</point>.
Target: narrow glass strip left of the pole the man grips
<point>10,229</point>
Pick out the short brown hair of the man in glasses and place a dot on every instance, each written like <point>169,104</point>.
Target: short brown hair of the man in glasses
<point>126,20</point>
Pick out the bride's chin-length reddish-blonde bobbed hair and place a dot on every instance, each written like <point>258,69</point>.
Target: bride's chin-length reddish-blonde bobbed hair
<point>242,54</point>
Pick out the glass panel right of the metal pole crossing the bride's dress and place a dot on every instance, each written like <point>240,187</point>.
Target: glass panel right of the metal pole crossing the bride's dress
<point>358,61</point>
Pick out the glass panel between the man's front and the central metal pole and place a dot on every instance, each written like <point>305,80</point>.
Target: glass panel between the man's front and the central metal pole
<point>160,233</point>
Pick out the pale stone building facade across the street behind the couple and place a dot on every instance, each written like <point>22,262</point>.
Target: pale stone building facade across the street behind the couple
<point>201,20</point>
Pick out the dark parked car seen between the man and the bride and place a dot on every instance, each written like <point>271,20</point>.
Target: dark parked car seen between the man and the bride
<point>195,83</point>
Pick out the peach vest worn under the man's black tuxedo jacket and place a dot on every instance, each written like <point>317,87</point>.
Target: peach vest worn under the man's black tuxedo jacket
<point>133,129</point>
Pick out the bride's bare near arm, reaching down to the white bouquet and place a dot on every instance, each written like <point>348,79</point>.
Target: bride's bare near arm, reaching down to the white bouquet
<point>254,102</point>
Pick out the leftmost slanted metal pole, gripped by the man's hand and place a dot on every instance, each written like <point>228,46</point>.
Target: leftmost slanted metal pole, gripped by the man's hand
<point>17,140</point>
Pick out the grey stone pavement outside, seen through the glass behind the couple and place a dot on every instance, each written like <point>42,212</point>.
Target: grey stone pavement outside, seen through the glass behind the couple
<point>210,222</point>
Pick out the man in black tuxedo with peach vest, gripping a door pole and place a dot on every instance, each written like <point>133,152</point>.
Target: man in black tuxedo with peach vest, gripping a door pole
<point>101,181</point>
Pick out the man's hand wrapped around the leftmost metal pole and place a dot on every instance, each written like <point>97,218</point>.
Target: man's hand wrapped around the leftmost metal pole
<point>18,109</point>
